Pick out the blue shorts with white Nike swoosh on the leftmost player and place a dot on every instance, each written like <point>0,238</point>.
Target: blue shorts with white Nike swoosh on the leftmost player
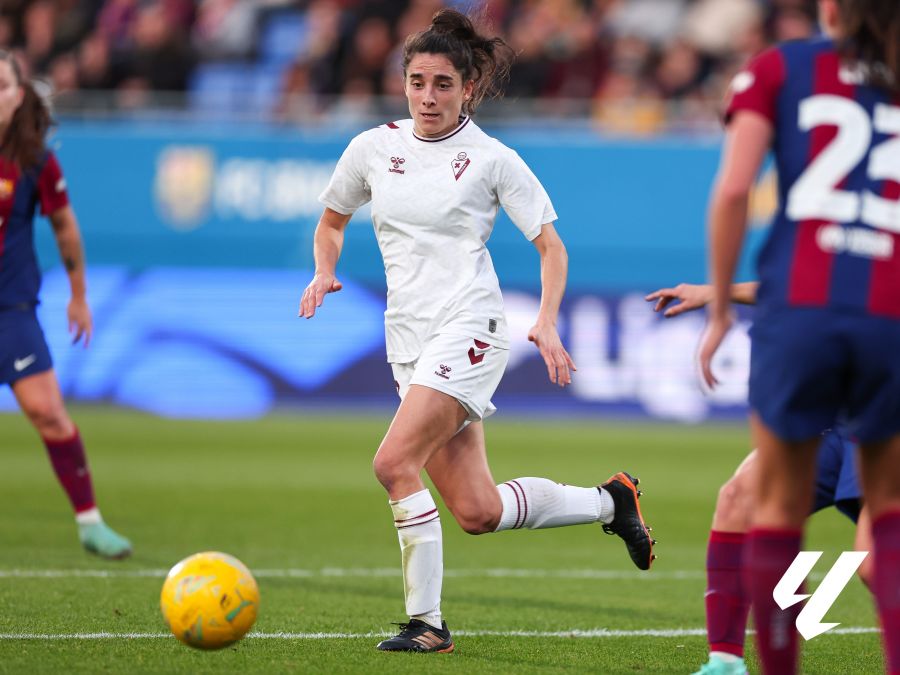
<point>23,349</point>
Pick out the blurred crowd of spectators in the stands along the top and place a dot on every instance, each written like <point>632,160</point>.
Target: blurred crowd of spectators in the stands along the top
<point>632,65</point>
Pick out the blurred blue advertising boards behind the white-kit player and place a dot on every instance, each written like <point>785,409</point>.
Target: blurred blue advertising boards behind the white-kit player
<point>200,242</point>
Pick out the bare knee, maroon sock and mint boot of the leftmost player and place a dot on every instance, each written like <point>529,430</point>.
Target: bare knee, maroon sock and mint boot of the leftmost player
<point>40,399</point>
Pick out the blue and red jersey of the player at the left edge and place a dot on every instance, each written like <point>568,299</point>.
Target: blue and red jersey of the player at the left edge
<point>20,194</point>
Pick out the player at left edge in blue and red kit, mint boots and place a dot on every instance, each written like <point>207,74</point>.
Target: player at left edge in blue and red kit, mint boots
<point>30,176</point>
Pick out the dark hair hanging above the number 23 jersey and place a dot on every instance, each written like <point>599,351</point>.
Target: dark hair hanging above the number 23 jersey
<point>871,36</point>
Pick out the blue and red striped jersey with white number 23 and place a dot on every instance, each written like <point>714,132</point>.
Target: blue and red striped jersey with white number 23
<point>835,240</point>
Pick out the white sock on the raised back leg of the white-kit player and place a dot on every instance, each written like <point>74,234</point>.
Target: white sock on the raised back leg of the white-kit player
<point>538,503</point>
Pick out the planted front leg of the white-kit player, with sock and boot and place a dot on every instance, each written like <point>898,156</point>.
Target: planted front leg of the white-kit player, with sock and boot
<point>425,421</point>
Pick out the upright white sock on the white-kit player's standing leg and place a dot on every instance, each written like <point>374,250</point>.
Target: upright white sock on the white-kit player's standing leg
<point>421,546</point>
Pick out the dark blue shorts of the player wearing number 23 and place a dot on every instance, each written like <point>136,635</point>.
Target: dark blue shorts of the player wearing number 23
<point>808,367</point>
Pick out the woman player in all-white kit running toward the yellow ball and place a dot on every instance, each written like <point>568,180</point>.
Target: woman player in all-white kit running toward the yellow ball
<point>436,182</point>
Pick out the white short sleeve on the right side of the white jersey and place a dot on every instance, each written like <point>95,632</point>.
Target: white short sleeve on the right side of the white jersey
<point>522,196</point>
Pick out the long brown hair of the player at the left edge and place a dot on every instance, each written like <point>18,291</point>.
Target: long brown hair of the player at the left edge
<point>23,142</point>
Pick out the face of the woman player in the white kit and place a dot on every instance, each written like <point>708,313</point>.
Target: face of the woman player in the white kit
<point>436,92</point>
